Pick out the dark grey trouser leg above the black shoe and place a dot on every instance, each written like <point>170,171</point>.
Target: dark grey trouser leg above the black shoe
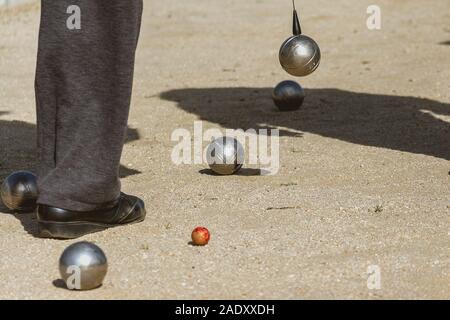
<point>83,82</point>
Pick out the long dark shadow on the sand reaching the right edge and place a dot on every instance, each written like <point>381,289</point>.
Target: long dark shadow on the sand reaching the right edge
<point>406,124</point>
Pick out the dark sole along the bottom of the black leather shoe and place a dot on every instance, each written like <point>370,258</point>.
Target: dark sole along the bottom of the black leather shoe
<point>73,230</point>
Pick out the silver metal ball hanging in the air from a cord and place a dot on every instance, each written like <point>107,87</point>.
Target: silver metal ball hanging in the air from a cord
<point>299,55</point>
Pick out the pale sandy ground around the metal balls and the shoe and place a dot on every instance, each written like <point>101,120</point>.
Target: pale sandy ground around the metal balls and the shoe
<point>364,177</point>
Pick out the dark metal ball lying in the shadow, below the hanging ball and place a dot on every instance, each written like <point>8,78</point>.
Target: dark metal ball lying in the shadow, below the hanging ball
<point>288,96</point>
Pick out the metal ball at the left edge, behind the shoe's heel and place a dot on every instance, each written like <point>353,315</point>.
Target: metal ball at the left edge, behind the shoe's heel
<point>19,191</point>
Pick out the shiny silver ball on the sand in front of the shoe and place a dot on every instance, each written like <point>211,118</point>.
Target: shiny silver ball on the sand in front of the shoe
<point>83,266</point>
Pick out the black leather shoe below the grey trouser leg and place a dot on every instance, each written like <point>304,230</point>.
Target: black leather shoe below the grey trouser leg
<point>65,224</point>
